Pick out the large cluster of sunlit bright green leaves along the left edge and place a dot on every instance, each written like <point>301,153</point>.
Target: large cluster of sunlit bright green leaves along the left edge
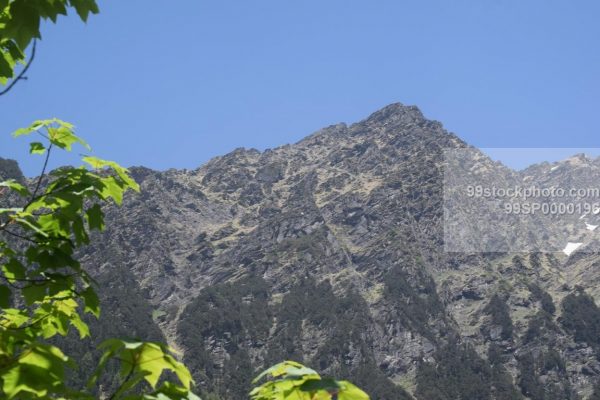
<point>44,291</point>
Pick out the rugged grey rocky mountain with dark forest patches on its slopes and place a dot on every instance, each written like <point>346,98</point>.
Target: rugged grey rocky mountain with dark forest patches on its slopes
<point>331,252</point>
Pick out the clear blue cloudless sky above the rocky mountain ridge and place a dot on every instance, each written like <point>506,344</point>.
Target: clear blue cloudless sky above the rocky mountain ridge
<point>172,84</point>
